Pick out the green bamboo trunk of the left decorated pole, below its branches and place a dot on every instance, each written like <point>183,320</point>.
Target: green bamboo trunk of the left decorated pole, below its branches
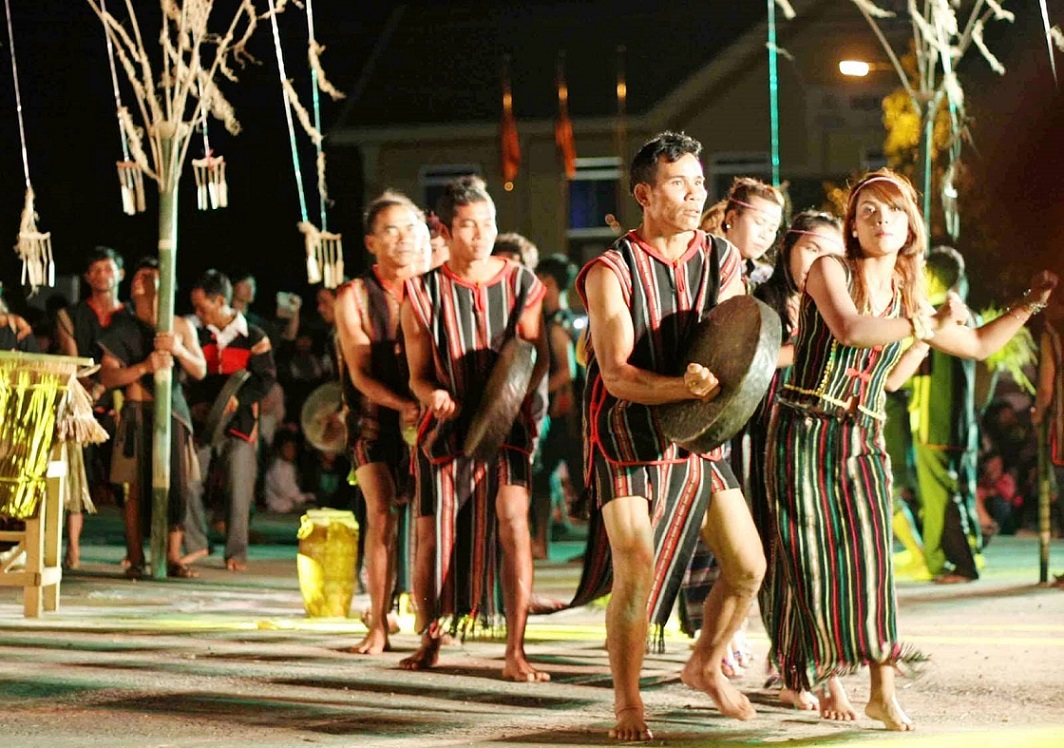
<point>170,140</point>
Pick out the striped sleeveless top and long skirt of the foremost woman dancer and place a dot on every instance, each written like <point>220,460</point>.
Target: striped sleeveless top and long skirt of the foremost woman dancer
<point>830,488</point>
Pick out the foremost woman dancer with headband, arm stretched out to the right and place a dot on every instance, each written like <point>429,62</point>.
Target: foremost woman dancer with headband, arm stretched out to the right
<point>828,471</point>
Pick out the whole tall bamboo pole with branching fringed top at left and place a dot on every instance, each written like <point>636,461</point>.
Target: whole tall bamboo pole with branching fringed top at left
<point>174,98</point>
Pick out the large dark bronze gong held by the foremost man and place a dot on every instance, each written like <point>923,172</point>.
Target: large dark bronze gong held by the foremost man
<point>740,343</point>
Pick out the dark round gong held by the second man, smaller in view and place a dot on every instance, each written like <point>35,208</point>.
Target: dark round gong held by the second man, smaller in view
<point>502,401</point>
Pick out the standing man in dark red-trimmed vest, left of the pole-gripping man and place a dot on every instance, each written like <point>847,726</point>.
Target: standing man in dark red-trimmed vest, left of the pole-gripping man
<point>78,331</point>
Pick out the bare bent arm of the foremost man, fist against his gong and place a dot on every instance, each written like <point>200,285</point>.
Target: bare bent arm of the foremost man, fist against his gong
<point>614,341</point>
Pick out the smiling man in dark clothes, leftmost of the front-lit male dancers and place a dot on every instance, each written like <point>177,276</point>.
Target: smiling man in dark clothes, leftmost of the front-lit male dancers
<point>375,364</point>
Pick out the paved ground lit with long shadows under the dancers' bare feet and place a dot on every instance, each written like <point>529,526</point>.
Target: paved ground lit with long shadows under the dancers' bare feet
<point>230,660</point>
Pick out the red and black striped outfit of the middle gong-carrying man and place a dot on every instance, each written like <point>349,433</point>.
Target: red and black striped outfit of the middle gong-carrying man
<point>468,325</point>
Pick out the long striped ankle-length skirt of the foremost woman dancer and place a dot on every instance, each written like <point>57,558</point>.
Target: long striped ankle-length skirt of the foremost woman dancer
<point>829,484</point>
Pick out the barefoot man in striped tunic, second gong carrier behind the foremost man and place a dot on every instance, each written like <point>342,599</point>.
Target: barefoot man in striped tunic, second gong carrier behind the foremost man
<point>456,320</point>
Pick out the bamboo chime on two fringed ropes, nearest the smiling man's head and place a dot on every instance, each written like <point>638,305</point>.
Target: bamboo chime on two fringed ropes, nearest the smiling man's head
<point>325,251</point>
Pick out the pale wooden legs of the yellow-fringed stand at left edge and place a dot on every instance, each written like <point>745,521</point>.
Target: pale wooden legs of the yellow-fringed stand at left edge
<point>42,541</point>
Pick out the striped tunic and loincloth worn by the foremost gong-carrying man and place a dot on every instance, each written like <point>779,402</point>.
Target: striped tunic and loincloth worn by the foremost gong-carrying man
<point>626,453</point>
